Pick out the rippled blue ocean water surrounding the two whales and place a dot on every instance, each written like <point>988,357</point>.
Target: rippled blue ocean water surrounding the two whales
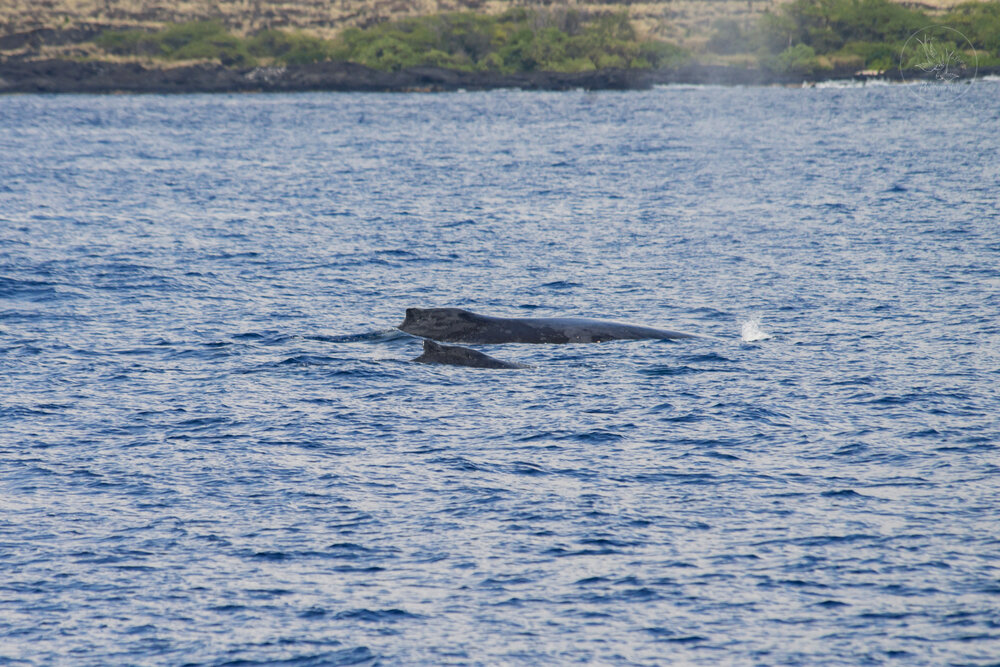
<point>215,450</point>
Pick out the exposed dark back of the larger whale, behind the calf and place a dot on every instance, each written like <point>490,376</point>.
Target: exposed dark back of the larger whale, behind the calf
<point>455,325</point>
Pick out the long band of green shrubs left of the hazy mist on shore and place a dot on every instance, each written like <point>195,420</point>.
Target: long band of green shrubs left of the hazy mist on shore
<point>520,40</point>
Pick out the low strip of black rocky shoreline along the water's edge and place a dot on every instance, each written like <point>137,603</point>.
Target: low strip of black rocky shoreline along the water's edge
<point>96,77</point>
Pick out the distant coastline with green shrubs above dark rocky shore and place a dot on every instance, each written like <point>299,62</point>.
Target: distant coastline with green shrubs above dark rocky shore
<point>537,48</point>
